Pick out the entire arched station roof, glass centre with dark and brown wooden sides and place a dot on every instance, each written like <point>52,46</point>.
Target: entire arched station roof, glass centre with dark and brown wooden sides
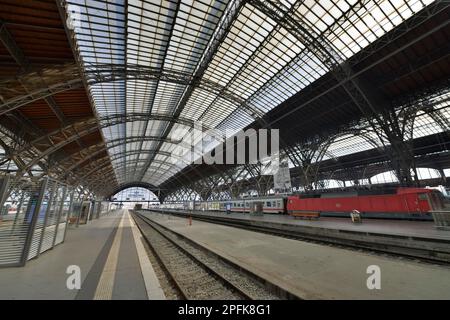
<point>100,94</point>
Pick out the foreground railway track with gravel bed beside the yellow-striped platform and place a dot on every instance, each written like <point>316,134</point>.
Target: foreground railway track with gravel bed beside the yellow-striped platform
<point>195,272</point>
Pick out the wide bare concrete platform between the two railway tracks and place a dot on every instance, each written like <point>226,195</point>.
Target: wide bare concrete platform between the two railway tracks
<point>314,271</point>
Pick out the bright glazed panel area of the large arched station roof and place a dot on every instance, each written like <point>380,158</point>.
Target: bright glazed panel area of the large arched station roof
<point>224,63</point>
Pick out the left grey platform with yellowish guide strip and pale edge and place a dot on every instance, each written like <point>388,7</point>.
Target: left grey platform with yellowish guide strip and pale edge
<point>111,259</point>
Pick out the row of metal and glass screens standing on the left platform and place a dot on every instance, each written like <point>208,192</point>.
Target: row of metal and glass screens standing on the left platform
<point>34,217</point>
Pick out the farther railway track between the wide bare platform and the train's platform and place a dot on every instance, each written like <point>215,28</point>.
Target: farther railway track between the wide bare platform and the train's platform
<point>388,249</point>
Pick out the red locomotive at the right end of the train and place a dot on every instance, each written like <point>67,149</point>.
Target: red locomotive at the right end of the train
<point>409,203</point>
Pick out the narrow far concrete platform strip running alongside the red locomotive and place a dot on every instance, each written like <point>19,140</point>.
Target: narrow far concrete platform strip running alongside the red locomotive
<point>419,229</point>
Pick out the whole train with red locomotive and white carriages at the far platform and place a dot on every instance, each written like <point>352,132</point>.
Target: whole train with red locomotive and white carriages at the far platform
<point>398,203</point>
